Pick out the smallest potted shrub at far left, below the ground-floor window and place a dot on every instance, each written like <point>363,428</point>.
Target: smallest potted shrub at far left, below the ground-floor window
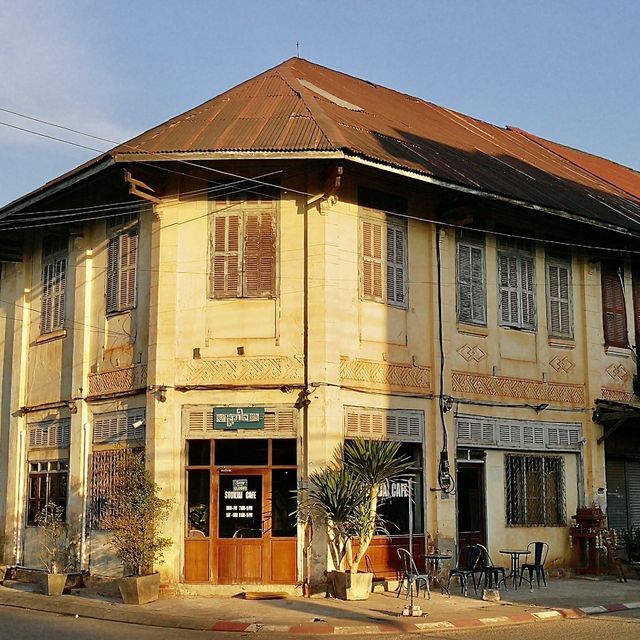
<point>54,548</point>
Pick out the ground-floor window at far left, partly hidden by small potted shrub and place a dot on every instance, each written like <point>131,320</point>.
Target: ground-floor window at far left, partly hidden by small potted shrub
<point>35,503</point>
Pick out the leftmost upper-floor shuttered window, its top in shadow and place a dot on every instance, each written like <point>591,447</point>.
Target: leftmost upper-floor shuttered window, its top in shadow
<point>55,265</point>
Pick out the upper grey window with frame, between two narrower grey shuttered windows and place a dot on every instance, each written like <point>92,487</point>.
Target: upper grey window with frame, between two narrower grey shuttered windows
<point>522,256</point>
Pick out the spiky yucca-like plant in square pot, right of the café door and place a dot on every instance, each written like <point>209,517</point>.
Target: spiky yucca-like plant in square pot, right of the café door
<point>344,498</point>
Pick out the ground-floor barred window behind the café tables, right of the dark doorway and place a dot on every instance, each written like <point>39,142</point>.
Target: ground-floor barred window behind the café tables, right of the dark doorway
<point>535,492</point>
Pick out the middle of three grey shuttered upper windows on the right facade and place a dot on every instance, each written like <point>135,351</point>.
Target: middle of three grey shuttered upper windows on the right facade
<point>516,283</point>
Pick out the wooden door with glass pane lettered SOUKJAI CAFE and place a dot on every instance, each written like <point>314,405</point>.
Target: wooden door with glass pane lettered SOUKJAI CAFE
<point>241,533</point>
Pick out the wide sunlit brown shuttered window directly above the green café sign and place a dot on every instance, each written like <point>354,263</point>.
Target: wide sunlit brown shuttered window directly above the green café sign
<point>243,245</point>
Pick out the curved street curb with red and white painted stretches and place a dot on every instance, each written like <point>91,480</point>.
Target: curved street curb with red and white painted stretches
<point>73,606</point>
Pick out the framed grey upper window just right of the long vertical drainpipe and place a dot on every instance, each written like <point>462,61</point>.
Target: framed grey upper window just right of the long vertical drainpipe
<point>477,311</point>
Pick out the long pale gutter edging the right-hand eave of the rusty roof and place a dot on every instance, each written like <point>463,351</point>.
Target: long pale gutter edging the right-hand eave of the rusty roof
<point>487,194</point>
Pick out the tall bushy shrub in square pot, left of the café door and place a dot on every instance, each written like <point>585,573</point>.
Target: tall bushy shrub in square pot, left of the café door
<point>135,521</point>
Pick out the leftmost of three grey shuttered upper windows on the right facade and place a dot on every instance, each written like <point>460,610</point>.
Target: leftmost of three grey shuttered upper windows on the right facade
<point>472,297</point>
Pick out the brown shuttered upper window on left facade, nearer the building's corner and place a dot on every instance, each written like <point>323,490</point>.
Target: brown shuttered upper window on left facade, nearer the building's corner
<point>122,258</point>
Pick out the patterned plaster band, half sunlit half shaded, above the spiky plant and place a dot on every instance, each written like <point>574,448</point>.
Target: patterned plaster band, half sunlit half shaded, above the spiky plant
<point>385,375</point>
